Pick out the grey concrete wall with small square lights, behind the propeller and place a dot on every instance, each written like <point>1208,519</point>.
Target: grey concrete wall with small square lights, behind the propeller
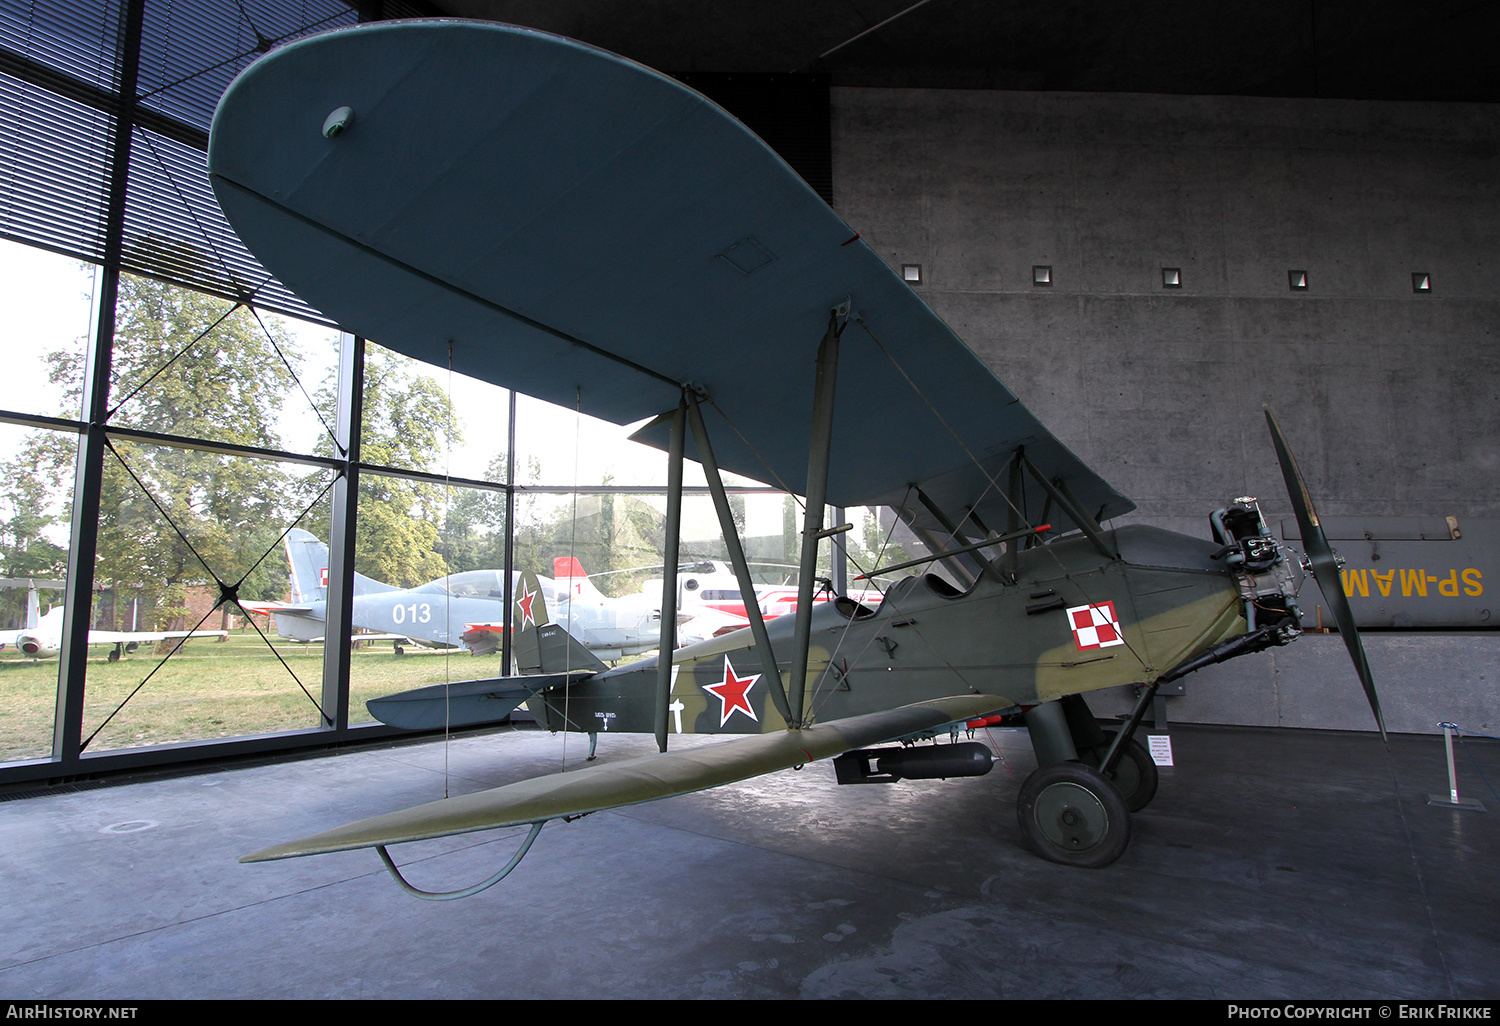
<point>1391,400</point>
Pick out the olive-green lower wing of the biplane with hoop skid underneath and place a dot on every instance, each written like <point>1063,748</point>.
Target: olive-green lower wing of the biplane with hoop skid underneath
<point>638,781</point>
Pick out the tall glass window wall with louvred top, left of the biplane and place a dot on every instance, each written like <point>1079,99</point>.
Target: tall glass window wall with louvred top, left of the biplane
<point>214,466</point>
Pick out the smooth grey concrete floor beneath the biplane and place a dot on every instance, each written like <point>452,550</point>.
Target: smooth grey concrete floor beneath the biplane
<point>1273,865</point>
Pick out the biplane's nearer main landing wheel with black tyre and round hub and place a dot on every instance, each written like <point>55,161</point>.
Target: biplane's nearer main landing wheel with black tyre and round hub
<point>1072,815</point>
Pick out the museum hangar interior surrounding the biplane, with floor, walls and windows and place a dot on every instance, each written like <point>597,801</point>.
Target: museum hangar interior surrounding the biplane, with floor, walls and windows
<point>1150,221</point>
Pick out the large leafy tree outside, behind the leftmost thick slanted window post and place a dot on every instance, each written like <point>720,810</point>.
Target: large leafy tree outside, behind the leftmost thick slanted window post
<point>191,365</point>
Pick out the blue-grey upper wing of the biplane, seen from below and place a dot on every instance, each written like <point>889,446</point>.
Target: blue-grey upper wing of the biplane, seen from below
<point>589,232</point>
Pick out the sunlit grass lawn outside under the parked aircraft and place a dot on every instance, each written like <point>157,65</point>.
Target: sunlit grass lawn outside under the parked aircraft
<point>208,689</point>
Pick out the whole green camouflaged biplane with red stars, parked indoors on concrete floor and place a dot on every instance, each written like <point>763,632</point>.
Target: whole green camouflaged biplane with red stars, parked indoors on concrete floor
<point>586,230</point>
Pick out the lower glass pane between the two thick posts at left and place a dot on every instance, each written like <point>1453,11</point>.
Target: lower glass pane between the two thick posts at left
<point>184,533</point>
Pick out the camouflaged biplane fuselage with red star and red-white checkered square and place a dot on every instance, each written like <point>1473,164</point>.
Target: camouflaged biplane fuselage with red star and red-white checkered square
<point>1075,620</point>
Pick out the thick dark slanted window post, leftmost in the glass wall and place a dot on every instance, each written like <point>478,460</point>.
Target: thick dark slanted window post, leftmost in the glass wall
<point>89,467</point>
